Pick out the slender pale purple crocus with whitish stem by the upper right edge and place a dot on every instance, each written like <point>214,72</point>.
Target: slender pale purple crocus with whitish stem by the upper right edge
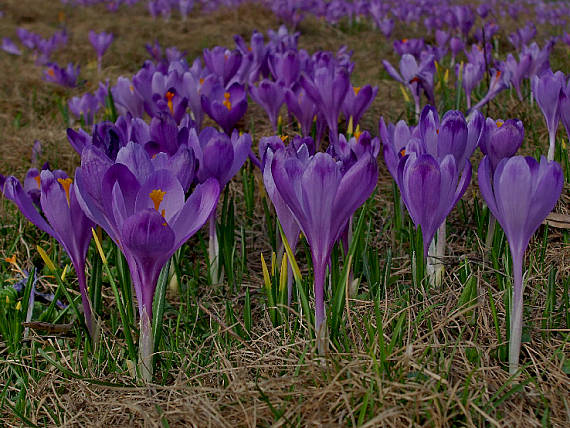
<point>546,90</point>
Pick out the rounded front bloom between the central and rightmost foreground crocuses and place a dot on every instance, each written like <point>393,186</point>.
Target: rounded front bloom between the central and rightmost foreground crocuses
<point>430,189</point>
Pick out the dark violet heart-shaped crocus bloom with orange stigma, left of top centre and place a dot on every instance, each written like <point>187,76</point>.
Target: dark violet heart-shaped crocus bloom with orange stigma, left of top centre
<point>225,107</point>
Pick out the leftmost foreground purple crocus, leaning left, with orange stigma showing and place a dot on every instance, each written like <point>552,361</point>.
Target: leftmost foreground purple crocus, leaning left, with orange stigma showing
<point>66,222</point>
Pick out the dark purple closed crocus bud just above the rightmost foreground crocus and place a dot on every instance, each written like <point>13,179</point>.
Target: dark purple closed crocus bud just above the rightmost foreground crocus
<point>501,140</point>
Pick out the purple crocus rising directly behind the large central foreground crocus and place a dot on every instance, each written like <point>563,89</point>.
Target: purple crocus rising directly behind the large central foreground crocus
<point>328,89</point>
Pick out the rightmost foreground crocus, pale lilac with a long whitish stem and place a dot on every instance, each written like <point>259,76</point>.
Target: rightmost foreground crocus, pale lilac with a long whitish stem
<point>520,194</point>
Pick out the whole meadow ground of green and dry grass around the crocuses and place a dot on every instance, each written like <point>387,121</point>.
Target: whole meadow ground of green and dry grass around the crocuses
<point>403,356</point>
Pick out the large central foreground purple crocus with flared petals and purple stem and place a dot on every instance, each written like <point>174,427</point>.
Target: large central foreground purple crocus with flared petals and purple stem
<point>322,199</point>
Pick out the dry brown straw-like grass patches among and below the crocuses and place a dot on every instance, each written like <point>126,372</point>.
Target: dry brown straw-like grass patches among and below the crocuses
<point>435,383</point>
